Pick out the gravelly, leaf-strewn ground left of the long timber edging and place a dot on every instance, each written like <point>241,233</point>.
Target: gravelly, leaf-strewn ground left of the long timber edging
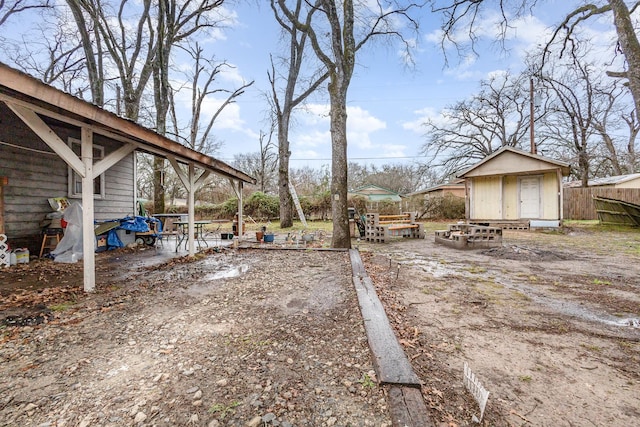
<point>241,337</point>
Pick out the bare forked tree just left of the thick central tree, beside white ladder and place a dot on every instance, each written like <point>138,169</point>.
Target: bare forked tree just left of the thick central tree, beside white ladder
<point>291,97</point>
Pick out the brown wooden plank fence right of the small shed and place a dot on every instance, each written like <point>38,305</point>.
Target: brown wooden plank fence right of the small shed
<point>578,202</point>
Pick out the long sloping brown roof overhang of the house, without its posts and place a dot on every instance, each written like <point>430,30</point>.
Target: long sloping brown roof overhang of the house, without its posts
<point>21,89</point>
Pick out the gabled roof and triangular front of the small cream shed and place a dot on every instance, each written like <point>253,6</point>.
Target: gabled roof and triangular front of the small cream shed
<point>512,161</point>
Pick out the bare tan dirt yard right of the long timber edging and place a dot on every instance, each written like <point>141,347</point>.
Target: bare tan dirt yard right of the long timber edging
<point>549,323</point>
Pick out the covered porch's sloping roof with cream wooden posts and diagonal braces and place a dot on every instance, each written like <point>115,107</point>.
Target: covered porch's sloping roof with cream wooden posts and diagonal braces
<point>51,114</point>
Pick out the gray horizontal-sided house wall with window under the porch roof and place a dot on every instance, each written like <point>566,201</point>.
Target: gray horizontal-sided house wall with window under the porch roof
<point>36,173</point>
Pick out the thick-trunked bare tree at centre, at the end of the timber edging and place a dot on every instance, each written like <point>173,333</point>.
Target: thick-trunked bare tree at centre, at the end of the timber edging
<point>335,41</point>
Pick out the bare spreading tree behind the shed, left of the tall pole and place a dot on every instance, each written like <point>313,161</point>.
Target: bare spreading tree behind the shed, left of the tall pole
<point>496,117</point>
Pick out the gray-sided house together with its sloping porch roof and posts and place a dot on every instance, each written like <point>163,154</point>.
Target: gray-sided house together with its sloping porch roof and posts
<point>53,145</point>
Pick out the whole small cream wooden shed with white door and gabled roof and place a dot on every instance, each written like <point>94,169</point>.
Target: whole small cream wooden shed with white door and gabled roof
<point>515,189</point>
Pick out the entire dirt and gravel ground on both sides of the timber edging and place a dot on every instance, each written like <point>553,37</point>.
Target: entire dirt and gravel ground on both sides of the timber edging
<point>549,323</point>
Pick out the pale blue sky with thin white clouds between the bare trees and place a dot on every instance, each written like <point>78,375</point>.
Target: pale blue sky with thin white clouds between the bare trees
<point>388,102</point>
